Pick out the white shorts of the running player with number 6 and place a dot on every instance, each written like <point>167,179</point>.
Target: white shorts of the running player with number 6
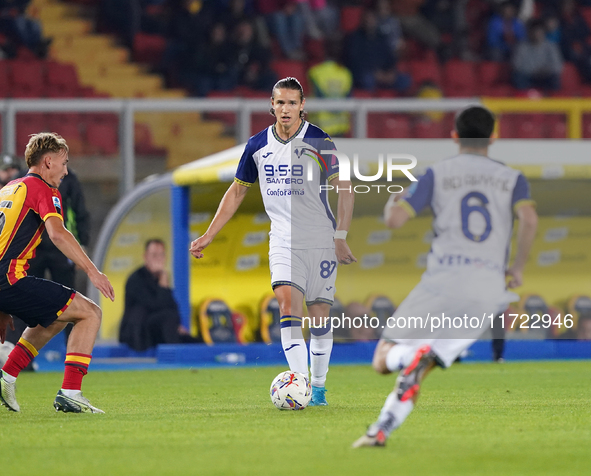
<point>447,343</point>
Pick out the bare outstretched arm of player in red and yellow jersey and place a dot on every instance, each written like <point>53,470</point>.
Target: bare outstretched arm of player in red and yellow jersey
<point>67,244</point>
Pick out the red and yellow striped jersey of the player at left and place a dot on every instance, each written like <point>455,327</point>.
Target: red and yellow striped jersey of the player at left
<point>25,204</point>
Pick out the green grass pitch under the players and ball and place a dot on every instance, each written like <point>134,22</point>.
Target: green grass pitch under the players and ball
<point>485,419</point>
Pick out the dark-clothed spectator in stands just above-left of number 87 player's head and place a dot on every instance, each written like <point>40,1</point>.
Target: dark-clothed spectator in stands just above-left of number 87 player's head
<point>251,59</point>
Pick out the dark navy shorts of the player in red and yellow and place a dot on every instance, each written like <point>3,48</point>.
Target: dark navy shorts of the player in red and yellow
<point>35,300</point>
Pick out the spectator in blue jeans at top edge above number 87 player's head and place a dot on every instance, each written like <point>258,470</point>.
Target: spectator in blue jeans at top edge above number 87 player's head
<point>287,24</point>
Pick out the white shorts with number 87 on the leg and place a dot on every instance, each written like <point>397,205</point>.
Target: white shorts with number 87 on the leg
<point>313,272</point>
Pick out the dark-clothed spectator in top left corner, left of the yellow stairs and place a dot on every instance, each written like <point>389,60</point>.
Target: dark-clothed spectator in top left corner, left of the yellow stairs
<point>20,29</point>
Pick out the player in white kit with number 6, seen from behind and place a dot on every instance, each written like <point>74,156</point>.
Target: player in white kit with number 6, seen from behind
<point>474,199</point>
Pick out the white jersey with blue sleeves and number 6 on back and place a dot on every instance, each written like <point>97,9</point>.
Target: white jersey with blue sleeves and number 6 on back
<point>472,198</point>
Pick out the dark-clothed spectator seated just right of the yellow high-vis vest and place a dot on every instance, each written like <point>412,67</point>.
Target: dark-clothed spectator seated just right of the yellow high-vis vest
<point>370,59</point>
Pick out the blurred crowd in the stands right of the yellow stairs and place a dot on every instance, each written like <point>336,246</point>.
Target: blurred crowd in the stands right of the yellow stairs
<point>210,46</point>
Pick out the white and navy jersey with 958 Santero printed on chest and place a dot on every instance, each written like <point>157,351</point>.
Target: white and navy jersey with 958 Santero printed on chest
<point>290,174</point>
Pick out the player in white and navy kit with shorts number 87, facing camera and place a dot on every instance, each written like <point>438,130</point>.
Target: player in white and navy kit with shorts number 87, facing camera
<point>306,241</point>
